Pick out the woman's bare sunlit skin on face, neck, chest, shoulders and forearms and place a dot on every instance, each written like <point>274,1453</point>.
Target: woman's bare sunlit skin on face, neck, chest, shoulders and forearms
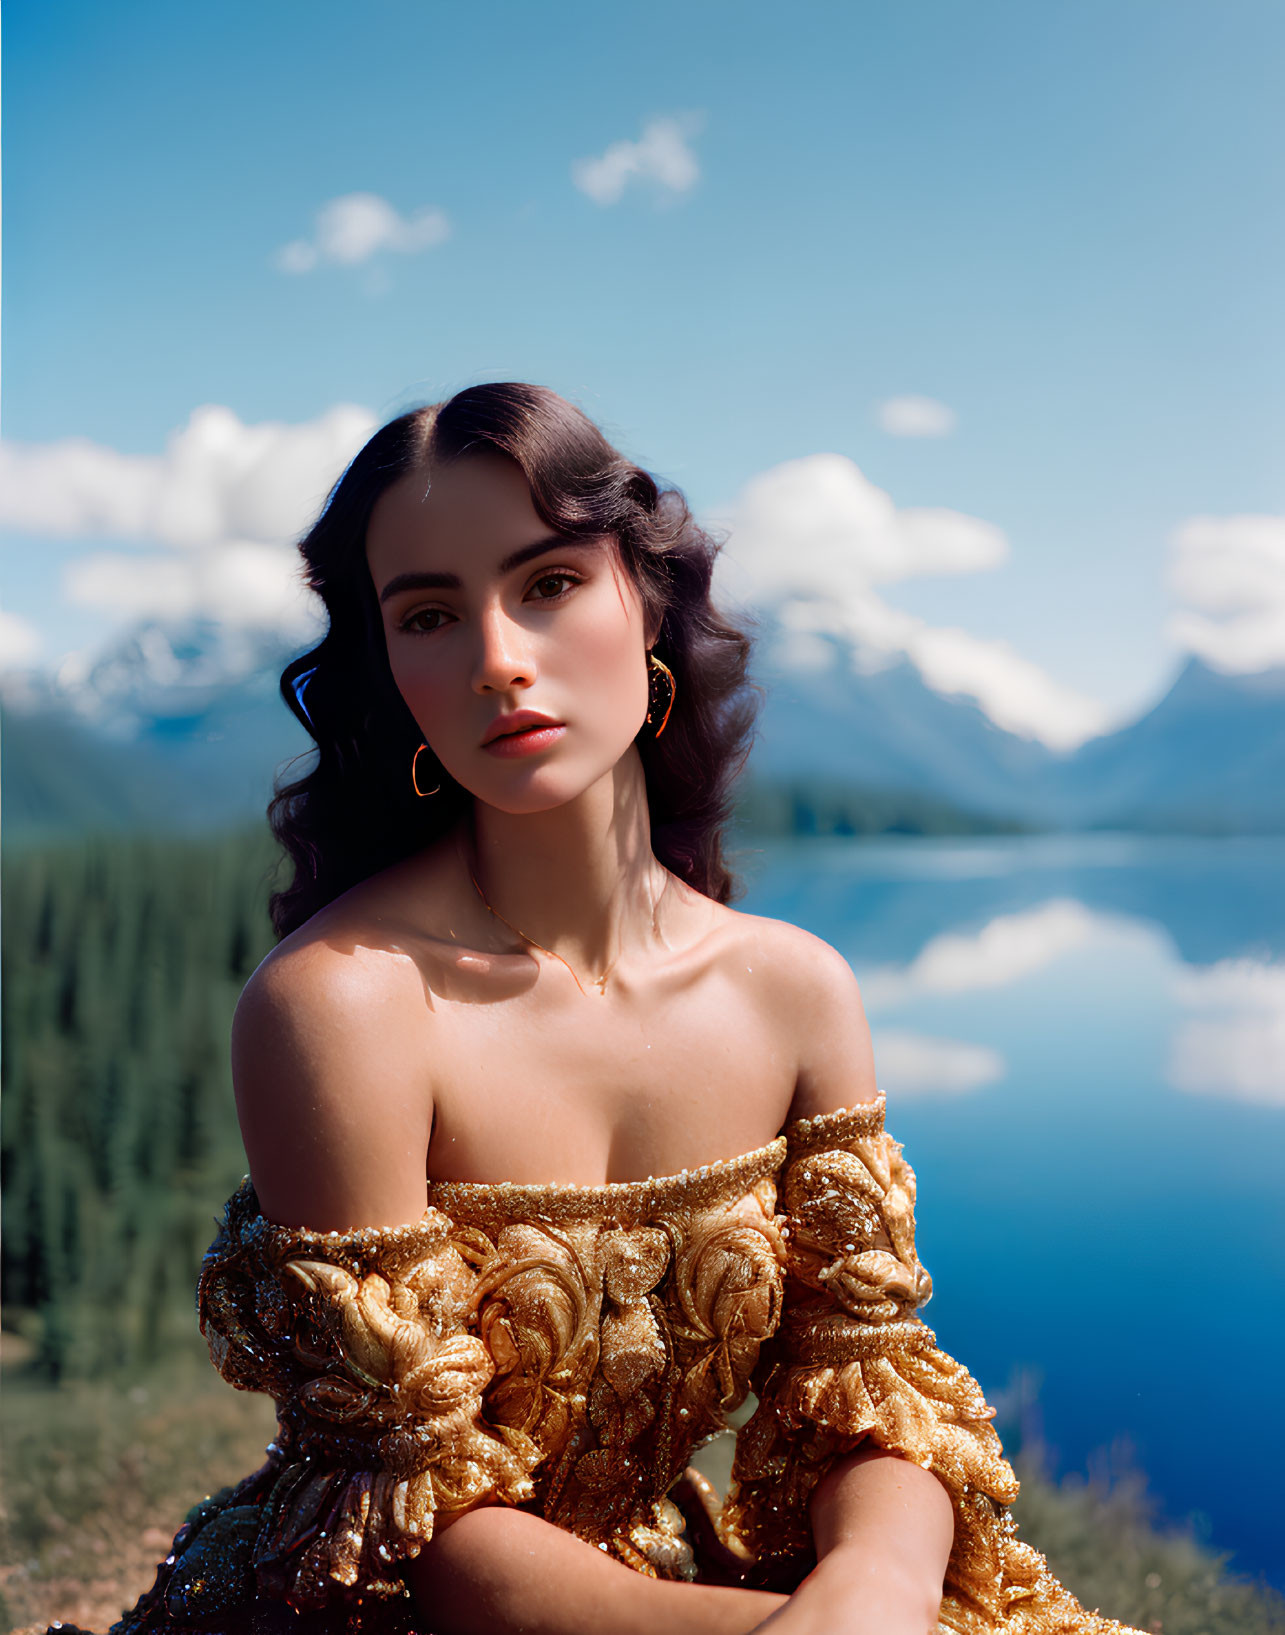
<point>406,1033</point>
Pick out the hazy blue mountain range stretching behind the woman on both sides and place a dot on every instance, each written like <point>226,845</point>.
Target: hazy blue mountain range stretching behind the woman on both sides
<point>181,728</point>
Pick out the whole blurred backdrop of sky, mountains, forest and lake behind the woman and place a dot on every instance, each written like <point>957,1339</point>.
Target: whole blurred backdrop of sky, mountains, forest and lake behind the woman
<point>964,326</point>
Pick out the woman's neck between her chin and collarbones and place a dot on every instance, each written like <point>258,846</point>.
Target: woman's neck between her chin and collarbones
<point>580,880</point>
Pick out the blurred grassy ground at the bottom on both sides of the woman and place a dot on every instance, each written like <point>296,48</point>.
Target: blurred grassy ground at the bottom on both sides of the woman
<point>97,1480</point>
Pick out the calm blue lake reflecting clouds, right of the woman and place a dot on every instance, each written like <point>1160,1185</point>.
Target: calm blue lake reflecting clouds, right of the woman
<point>1083,1044</point>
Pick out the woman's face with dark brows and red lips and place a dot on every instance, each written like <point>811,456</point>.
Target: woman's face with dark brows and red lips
<point>490,616</point>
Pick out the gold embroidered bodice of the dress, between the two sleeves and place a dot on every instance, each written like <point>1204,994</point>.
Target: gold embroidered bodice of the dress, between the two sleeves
<point>625,1322</point>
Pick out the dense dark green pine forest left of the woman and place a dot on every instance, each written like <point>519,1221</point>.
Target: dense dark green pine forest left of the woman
<point>123,961</point>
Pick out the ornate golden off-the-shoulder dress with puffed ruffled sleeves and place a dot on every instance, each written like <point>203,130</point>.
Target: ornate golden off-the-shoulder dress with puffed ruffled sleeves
<point>566,1350</point>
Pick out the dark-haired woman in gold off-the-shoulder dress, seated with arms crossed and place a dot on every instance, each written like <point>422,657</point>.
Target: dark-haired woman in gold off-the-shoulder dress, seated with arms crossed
<point>514,1085</point>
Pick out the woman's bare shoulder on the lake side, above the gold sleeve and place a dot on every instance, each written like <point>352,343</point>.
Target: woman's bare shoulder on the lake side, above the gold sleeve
<point>817,998</point>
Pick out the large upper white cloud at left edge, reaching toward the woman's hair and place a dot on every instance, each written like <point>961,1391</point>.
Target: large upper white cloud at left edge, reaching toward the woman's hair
<point>217,482</point>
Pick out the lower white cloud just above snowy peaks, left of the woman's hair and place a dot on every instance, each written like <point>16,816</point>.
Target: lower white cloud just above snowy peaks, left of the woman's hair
<point>240,583</point>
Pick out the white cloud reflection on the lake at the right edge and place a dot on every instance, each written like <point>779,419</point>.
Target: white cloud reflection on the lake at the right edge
<point>1235,1042</point>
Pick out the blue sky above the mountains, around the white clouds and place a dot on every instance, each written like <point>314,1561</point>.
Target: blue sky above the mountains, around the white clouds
<point>1059,223</point>
